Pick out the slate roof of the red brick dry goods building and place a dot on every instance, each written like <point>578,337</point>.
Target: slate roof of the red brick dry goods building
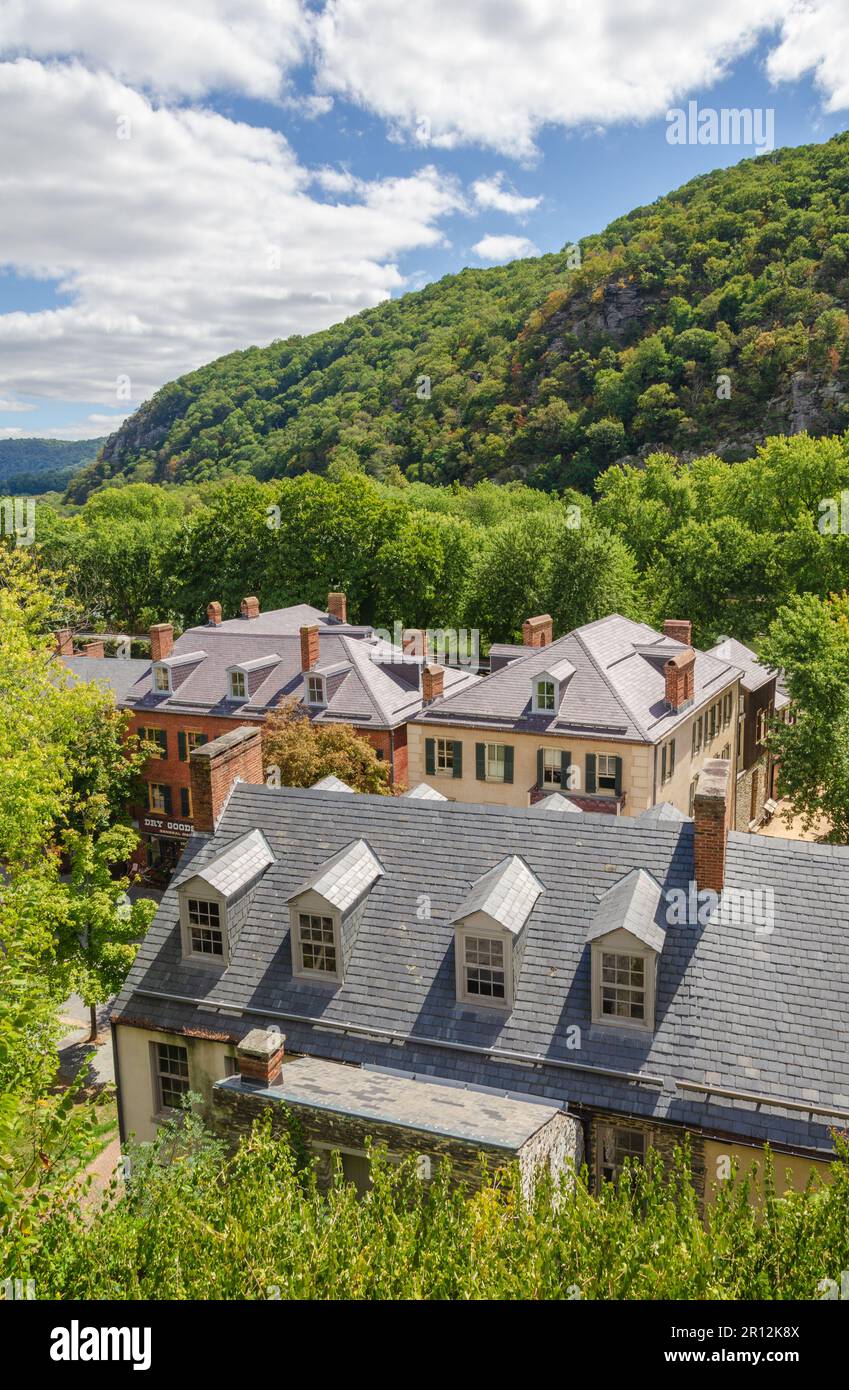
<point>377,685</point>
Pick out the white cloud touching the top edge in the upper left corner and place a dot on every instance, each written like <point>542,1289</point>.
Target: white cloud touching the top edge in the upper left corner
<point>183,49</point>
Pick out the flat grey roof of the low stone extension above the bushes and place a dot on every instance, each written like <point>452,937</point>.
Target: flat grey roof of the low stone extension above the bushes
<point>413,1103</point>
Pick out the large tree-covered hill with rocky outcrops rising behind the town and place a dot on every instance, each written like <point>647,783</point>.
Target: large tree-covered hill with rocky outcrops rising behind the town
<point>705,322</point>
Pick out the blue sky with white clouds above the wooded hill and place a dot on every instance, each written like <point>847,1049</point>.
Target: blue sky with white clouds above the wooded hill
<point>277,176</point>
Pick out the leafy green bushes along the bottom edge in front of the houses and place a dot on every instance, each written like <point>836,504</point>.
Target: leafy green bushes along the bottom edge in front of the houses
<point>197,1225</point>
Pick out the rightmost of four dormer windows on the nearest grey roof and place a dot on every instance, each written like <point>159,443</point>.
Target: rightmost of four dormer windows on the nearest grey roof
<point>626,940</point>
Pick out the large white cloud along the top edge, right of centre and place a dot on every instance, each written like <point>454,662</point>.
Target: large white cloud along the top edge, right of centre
<point>494,73</point>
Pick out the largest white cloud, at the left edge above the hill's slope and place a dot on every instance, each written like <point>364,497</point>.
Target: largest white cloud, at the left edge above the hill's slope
<point>192,238</point>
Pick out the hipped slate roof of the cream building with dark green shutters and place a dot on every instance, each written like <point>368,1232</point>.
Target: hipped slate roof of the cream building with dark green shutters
<point>618,692</point>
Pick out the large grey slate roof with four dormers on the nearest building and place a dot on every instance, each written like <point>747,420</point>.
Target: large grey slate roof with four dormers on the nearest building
<point>755,1011</point>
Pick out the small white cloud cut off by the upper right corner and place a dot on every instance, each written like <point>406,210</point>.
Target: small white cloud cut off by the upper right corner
<point>816,40</point>
